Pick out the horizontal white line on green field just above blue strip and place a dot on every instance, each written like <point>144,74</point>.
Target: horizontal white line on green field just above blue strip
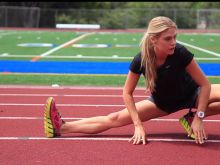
<point>94,57</point>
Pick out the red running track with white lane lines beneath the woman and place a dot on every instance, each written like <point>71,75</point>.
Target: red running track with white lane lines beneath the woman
<point>22,135</point>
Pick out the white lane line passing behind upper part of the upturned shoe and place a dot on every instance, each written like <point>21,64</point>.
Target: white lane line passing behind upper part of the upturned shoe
<point>64,105</point>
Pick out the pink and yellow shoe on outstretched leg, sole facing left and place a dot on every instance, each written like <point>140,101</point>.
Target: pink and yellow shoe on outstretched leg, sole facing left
<point>52,119</point>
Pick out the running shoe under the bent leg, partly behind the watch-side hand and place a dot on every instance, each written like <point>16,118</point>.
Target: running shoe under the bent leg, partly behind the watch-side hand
<point>186,122</point>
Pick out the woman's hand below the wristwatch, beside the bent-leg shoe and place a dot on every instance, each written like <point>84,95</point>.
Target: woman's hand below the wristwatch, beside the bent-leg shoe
<point>198,130</point>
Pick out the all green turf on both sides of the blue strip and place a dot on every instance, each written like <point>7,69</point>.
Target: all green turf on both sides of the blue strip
<point>53,46</point>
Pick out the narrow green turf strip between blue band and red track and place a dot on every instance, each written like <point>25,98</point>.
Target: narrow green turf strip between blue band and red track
<point>73,79</point>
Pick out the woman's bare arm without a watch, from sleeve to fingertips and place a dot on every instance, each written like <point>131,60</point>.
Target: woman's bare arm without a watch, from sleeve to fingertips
<point>129,87</point>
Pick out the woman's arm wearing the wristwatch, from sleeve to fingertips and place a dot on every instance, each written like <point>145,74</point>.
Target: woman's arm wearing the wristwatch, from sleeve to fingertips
<point>196,73</point>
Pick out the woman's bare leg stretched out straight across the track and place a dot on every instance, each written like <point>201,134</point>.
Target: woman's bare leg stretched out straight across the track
<point>146,110</point>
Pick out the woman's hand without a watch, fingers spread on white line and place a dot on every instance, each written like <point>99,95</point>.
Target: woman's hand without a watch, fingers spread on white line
<point>139,135</point>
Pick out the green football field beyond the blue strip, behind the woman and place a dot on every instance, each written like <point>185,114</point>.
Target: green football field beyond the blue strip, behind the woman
<point>123,46</point>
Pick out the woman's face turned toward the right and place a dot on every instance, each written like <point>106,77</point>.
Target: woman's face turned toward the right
<point>164,45</point>
